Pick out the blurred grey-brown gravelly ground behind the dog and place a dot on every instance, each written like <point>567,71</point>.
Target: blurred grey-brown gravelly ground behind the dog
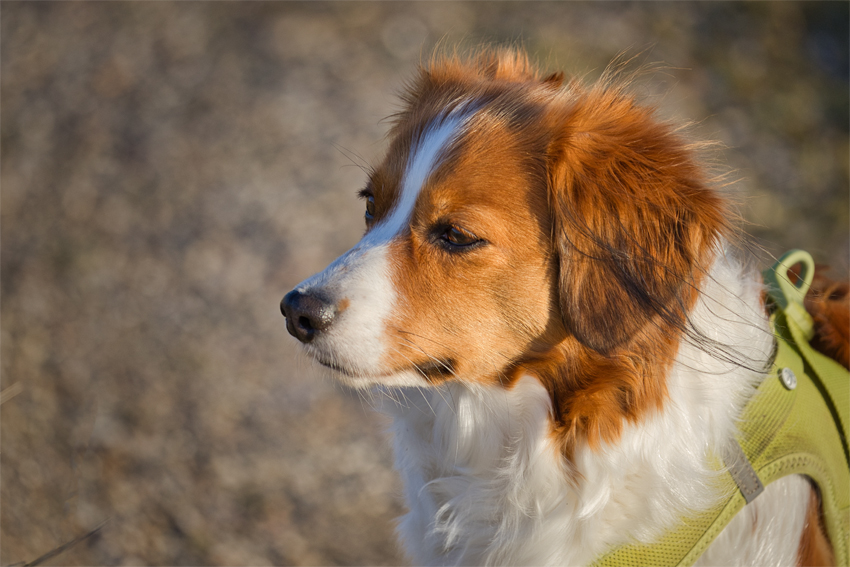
<point>170,170</point>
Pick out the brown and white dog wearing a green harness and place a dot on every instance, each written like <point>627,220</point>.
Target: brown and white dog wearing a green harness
<point>547,284</point>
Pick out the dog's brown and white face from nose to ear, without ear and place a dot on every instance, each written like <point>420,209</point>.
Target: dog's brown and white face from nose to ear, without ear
<point>455,275</point>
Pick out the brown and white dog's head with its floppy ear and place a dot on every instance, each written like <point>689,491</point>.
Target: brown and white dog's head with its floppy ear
<point>517,224</point>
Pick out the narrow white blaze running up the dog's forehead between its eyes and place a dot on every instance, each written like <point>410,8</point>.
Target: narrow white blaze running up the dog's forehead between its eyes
<point>425,155</point>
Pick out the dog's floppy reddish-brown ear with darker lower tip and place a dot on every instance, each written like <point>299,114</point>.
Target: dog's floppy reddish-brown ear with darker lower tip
<point>634,222</point>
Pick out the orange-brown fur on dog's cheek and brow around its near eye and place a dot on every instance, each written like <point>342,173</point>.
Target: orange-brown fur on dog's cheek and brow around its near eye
<point>472,311</point>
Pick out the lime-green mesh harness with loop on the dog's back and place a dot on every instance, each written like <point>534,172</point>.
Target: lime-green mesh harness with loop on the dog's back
<point>796,423</point>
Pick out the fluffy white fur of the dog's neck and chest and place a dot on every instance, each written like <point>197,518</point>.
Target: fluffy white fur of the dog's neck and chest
<point>485,481</point>
